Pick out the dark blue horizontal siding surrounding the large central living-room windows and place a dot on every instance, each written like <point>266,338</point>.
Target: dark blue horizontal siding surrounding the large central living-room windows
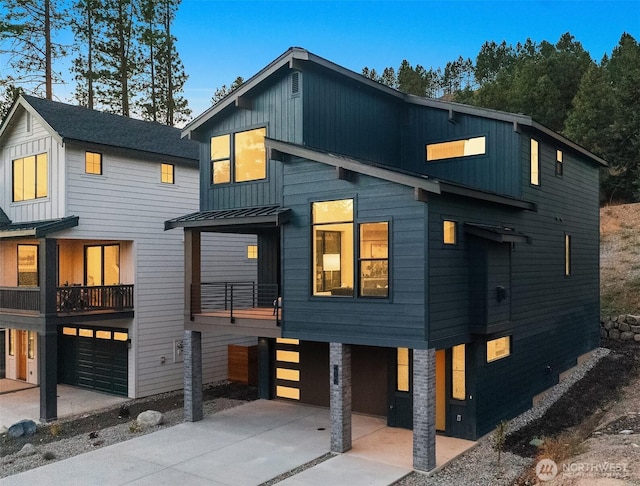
<point>397,321</point>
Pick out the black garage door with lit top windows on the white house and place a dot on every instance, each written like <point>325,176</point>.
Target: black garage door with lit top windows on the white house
<point>94,358</point>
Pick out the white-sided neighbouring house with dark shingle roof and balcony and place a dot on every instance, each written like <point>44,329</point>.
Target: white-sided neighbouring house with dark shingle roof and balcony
<point>91,286</point>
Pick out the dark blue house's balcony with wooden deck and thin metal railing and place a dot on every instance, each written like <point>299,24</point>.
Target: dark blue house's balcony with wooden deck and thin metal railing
<point>244,308</point>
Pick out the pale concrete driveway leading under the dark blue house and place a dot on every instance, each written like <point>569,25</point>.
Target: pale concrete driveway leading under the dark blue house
<point>246,445</point>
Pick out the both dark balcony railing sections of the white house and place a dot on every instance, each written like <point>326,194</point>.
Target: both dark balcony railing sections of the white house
<point>73,299</point>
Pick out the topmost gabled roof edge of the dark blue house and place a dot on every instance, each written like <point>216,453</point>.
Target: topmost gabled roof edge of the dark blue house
<point>296,58</point>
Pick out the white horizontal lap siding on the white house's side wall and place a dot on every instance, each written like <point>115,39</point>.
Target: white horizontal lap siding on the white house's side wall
<point>129,204</point>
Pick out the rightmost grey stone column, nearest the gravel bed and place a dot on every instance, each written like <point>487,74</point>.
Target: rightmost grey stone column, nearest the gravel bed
<point>424,409</point>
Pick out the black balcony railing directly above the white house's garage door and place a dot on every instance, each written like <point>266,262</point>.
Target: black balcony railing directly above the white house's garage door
<point>77,298</point>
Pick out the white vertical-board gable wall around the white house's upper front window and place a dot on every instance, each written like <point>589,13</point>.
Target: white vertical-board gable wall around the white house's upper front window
<point>18,143</point>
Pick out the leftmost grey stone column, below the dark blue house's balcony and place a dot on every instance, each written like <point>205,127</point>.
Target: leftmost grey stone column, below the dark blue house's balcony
<point>192,376</point>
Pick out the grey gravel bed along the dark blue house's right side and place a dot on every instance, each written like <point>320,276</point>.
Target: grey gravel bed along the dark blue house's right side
<point>479,466</point>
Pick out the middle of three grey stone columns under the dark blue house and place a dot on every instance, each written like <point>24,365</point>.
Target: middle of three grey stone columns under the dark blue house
<point>340,396</point>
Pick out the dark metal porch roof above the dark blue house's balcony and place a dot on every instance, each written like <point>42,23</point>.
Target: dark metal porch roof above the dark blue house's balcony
<point>226,219</point>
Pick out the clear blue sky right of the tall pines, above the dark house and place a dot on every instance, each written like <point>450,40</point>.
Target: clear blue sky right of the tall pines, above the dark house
<point>220,40</point>
